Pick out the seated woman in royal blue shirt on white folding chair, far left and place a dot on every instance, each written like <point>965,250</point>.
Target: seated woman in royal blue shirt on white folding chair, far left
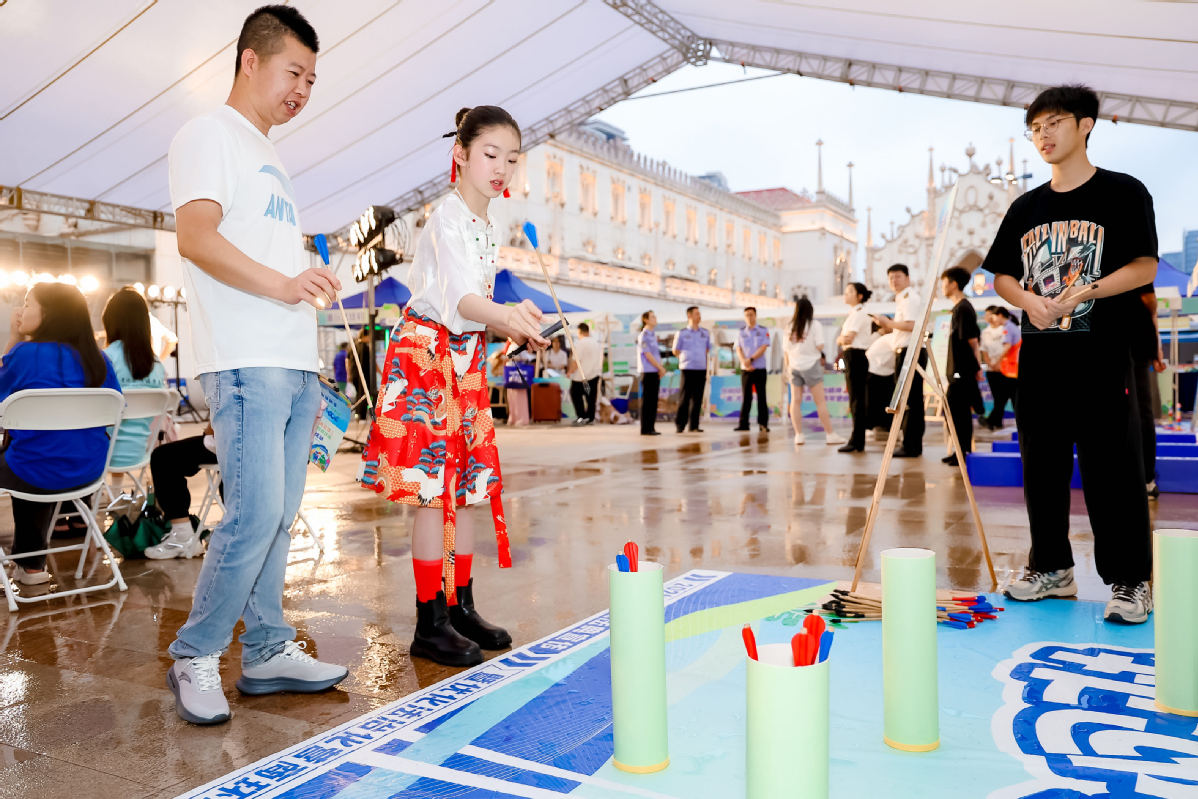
<point>51,346</point>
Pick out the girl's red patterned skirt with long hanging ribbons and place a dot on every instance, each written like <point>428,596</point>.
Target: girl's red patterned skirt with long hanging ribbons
<point>433,440</point>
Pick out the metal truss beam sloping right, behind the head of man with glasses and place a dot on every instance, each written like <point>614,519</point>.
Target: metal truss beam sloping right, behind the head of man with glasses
<point>995,92</point>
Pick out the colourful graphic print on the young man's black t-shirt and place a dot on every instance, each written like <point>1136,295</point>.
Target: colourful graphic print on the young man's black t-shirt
<point>1063,255</point>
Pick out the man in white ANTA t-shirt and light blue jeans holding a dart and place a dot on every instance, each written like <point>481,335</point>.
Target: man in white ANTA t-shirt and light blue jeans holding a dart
<point>252,304</point>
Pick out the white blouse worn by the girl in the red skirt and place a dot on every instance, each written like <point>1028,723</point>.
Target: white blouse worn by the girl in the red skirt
<point>455,257</point>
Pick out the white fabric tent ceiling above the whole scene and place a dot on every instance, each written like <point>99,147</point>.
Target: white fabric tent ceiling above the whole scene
<point>94,92</point>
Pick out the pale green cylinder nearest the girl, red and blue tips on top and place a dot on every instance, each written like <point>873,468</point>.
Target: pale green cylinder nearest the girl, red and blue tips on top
<point>639,669</point>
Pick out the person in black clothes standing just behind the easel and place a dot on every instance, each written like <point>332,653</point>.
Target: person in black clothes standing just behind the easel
<point>965,364</point>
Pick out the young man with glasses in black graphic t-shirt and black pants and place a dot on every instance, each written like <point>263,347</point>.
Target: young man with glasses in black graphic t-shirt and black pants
<point>1073,255</point>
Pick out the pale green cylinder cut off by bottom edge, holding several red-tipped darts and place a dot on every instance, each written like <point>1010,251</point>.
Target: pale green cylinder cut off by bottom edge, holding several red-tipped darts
<point>786,721</point>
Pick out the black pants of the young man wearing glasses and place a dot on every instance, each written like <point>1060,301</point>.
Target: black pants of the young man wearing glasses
<point>1091,405</point>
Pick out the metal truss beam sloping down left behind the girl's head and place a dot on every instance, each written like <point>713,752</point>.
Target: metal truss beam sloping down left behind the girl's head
<point>560,120</point>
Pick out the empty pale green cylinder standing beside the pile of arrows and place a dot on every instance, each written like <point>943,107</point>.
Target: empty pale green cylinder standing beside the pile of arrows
<point>911,700</point>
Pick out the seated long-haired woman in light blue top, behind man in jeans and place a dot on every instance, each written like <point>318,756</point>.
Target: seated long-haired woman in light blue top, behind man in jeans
<point>128,326</point>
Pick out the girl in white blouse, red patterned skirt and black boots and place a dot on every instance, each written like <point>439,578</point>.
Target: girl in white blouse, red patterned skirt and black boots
<point>433,440</point>
